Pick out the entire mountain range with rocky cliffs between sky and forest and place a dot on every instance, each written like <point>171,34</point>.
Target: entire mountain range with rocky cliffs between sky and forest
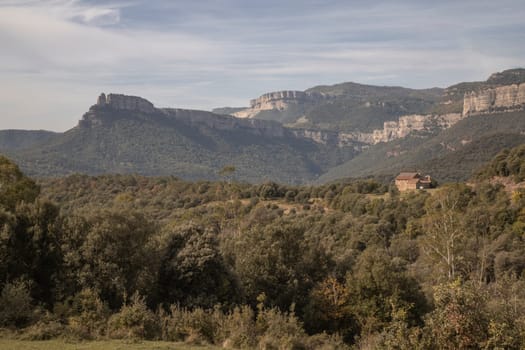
<point>317,135</point>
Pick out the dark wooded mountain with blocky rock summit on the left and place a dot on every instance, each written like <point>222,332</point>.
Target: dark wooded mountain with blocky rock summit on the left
<point>125,134</point>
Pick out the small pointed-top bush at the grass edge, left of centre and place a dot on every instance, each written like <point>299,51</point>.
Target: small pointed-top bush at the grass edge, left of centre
<point>134,321</point>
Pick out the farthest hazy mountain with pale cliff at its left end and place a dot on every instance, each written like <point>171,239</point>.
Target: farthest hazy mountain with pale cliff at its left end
<point>349,107</point>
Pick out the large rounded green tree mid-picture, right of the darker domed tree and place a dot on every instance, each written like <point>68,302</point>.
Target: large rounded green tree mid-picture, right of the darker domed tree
<point>280,262</point>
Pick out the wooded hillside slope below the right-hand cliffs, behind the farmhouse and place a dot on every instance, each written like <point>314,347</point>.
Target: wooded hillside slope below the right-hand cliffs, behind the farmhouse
<point>450,155</point>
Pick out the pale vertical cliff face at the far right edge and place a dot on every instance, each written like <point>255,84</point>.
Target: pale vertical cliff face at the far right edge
<point>501,98</point>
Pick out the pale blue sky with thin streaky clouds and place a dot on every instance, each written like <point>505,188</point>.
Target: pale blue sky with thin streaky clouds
<point>57,56</point>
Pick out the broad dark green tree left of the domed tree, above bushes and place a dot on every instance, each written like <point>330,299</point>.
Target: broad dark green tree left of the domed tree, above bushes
<point>117,257</point>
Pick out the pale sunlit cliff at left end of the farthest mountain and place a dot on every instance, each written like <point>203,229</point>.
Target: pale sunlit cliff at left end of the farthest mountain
<point>279,101</point>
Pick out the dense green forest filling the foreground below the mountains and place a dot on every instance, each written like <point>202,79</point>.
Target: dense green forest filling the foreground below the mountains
<point>349,264</point>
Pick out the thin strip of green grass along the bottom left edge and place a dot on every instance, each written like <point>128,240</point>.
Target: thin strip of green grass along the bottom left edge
<point>13,344</point>
